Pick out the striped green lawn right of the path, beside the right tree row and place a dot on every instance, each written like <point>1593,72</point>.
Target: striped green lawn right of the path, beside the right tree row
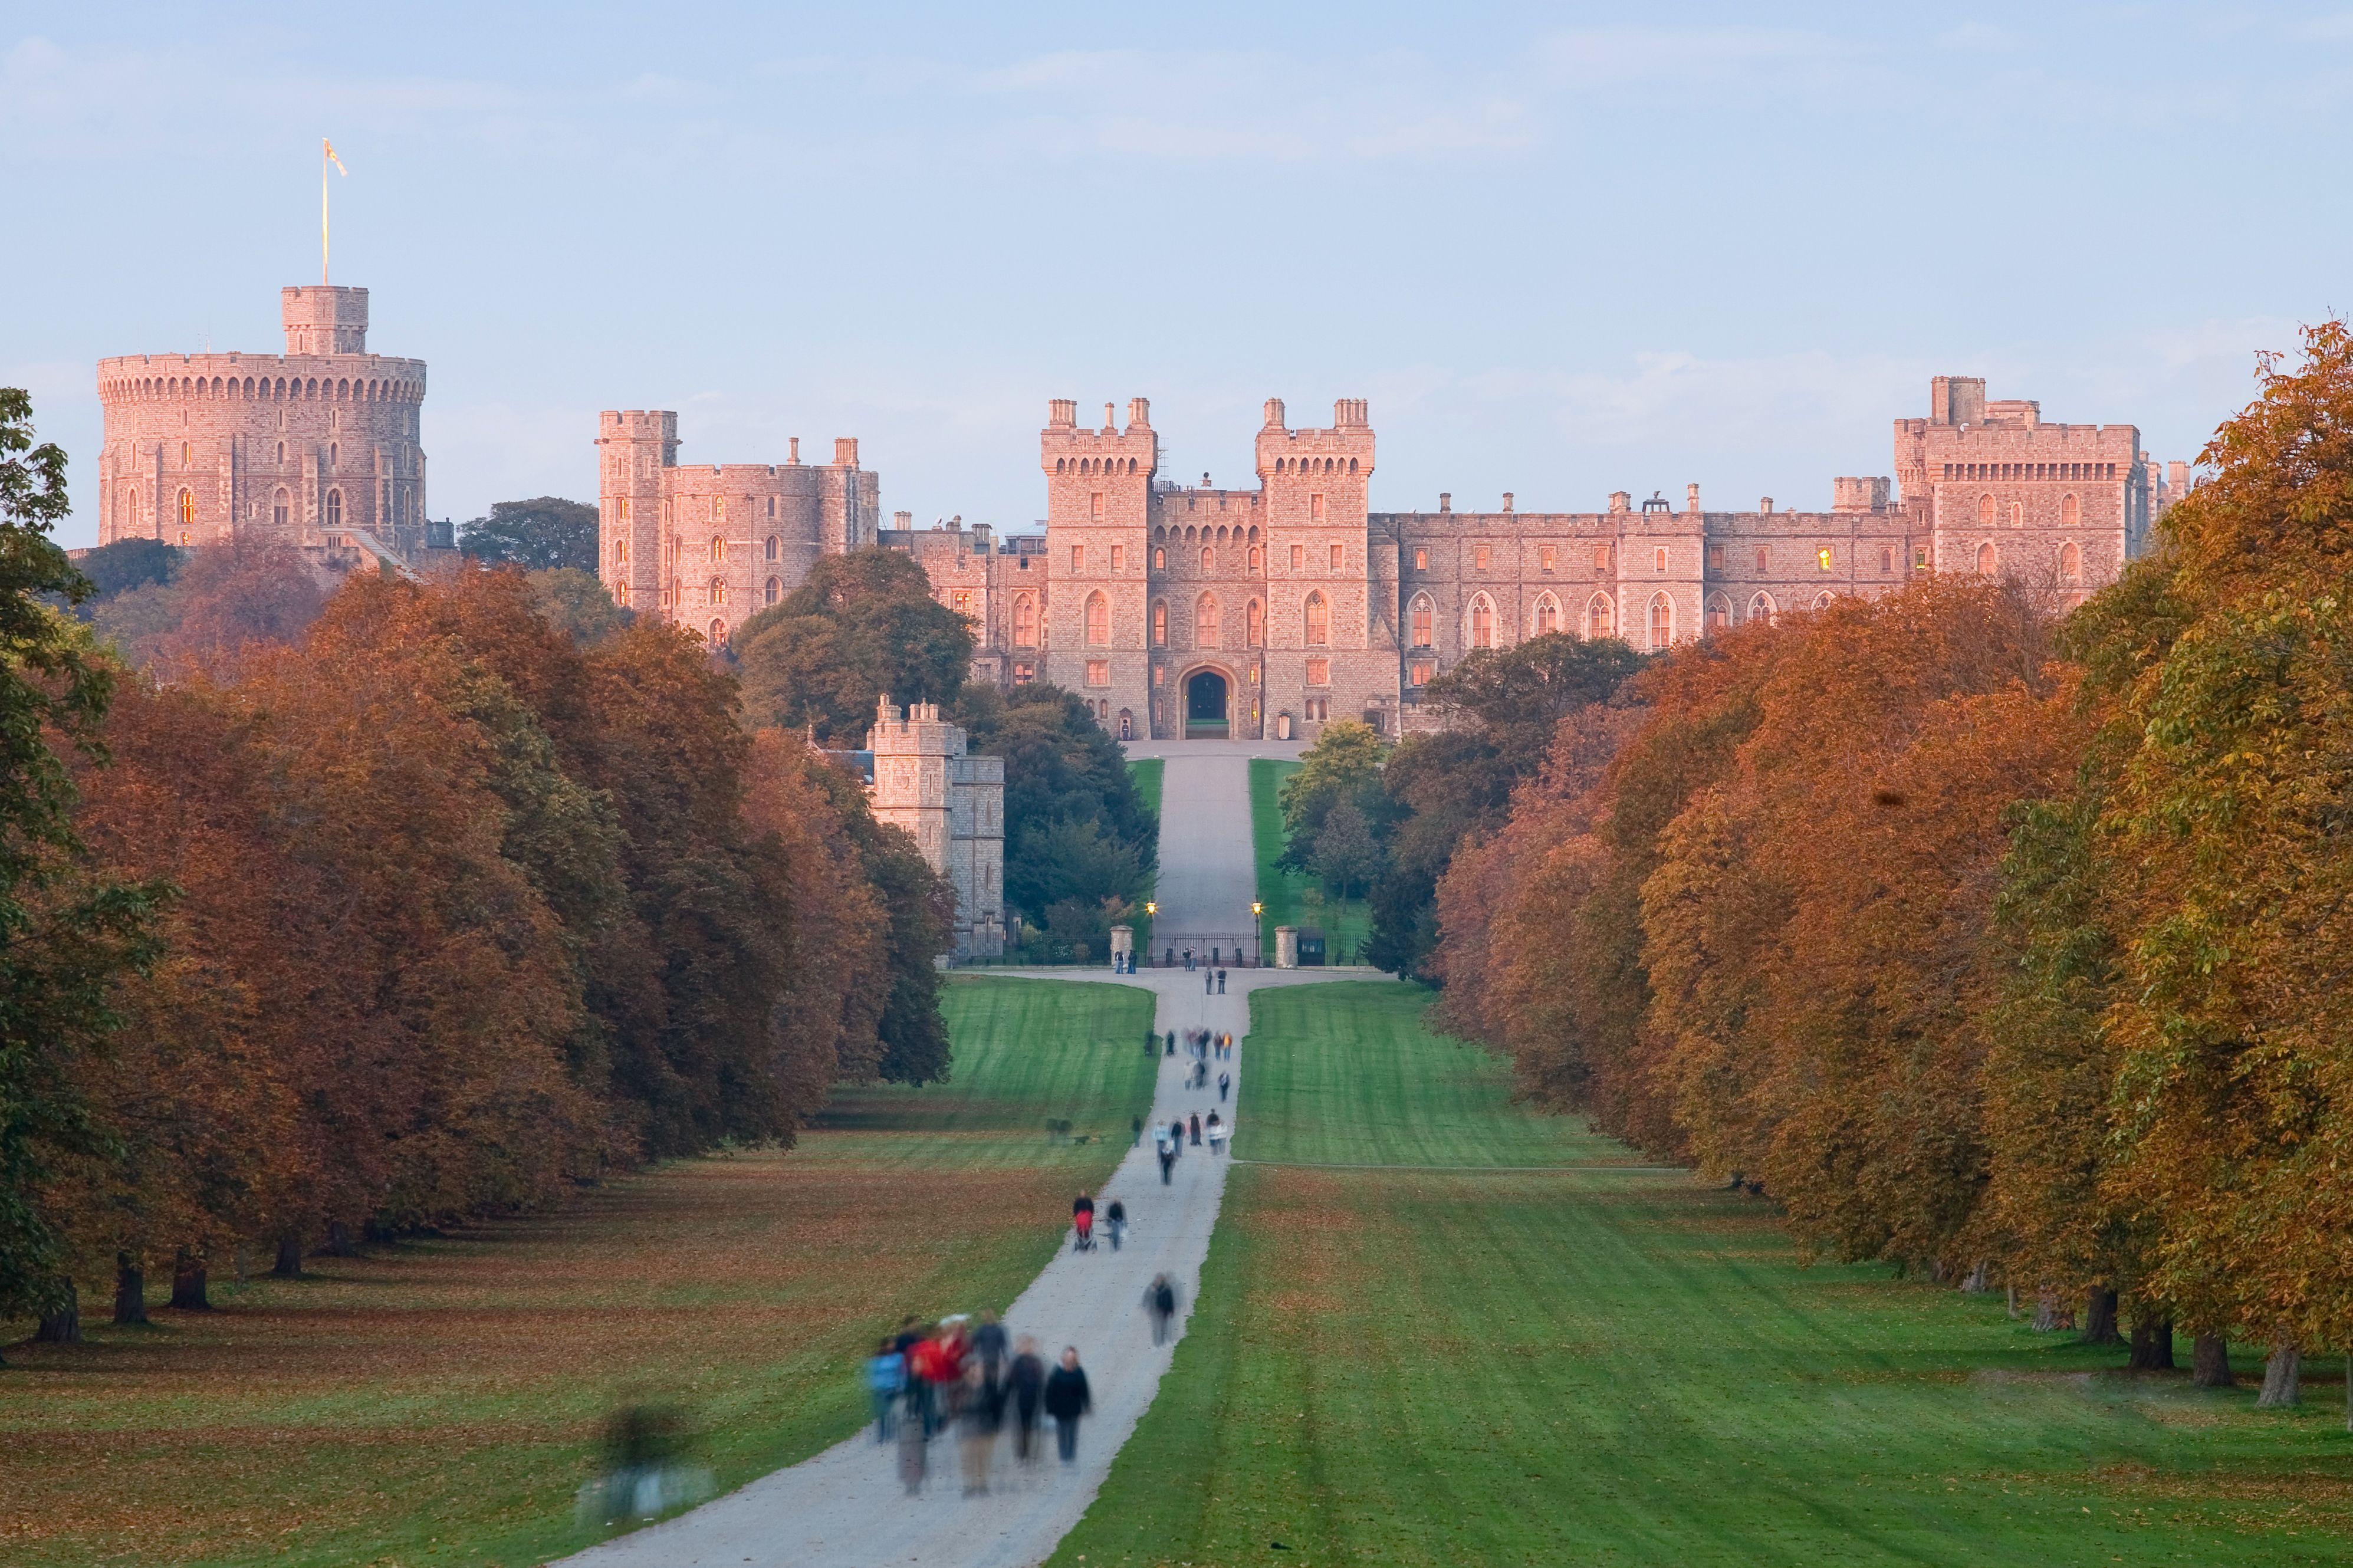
<point>1608,1364</point>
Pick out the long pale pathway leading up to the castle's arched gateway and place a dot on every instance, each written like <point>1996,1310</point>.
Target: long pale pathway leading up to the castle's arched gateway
<point>846,1508</point>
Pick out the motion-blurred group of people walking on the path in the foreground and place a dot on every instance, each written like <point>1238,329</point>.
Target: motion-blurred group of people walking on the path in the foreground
<point>973,1381</point>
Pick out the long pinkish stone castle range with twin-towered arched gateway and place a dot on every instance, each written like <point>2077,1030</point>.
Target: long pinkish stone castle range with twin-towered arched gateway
<point>1182,611</point>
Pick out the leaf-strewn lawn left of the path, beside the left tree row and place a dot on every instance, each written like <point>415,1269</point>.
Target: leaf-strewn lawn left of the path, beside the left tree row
<point>439,1402</point>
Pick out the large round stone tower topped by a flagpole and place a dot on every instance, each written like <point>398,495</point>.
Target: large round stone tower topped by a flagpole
<point>314,446</point>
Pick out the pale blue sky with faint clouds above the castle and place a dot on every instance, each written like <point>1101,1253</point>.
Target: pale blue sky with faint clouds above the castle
<point>1564,251</point>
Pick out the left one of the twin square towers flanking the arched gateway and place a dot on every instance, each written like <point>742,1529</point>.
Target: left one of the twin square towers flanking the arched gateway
<point>1098,514</point>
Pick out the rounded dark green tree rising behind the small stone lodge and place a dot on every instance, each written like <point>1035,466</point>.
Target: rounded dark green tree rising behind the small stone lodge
<point>860,627</point>
